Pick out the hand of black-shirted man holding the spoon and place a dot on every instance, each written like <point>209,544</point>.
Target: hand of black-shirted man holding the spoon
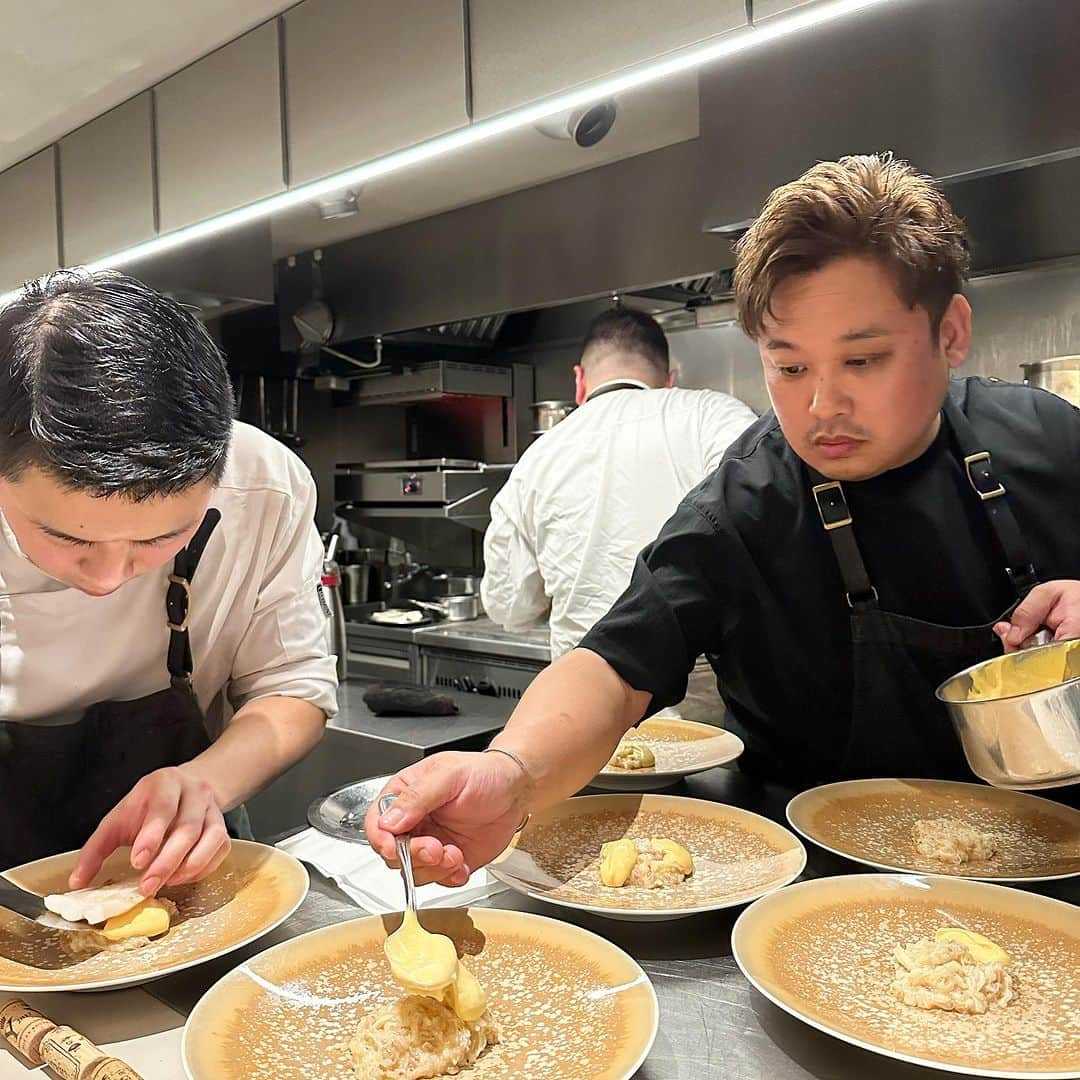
<point>461,809</point>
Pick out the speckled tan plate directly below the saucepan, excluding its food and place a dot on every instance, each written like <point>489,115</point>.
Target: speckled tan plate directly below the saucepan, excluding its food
<point>870,821</point>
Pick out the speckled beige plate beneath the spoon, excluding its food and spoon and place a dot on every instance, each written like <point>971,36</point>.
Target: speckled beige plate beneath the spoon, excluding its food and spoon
<point>568,1004</point>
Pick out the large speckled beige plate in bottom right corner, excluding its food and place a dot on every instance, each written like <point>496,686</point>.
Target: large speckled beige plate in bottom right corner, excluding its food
<point>822,952</point>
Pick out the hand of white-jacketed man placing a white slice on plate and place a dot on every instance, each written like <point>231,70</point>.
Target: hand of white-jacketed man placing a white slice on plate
<point>175,829</point>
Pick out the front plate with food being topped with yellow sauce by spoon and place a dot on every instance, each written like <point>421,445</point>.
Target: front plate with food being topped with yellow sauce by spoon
<point>531,998</point>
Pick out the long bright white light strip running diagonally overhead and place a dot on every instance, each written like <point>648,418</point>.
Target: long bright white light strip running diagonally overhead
<point>482,131</point>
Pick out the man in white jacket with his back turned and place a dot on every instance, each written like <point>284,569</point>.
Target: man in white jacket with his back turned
<point>590,494</point>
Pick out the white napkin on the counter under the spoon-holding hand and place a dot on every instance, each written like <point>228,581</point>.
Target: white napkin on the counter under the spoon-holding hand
<point>368,881</point>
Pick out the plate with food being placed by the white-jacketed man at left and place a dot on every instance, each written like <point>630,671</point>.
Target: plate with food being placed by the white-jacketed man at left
<point>124,941</point>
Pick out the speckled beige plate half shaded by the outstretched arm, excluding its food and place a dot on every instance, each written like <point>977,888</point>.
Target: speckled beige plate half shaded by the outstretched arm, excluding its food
<point>738,856</point>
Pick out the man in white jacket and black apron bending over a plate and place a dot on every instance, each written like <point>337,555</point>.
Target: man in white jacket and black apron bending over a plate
<point>163,644</point>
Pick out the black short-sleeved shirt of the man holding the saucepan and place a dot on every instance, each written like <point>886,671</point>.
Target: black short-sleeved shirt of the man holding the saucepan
<point>745,572</point>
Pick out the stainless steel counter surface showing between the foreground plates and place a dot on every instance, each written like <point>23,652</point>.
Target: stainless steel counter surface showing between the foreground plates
<point>713,1025</point>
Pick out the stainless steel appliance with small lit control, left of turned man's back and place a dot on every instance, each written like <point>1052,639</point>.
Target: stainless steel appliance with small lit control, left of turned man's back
<point>442,489</point>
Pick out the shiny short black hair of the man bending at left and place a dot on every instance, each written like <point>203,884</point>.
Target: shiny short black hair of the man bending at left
<point>112,388</point>
